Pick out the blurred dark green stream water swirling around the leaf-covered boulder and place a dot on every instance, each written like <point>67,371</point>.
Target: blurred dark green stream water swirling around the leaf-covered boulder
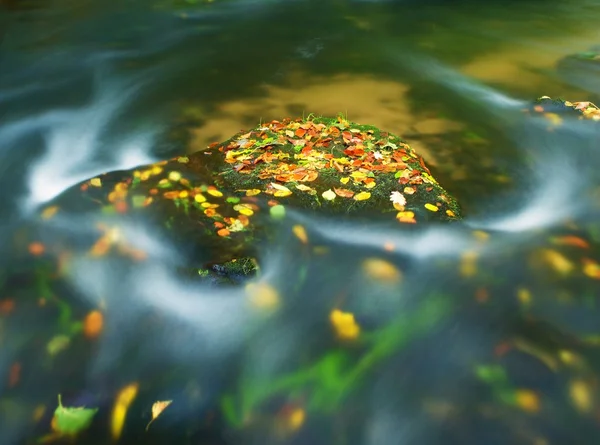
<point>483,332</point>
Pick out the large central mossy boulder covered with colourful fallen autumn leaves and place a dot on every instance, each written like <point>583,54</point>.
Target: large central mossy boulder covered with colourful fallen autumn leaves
<point>219,202</point>
